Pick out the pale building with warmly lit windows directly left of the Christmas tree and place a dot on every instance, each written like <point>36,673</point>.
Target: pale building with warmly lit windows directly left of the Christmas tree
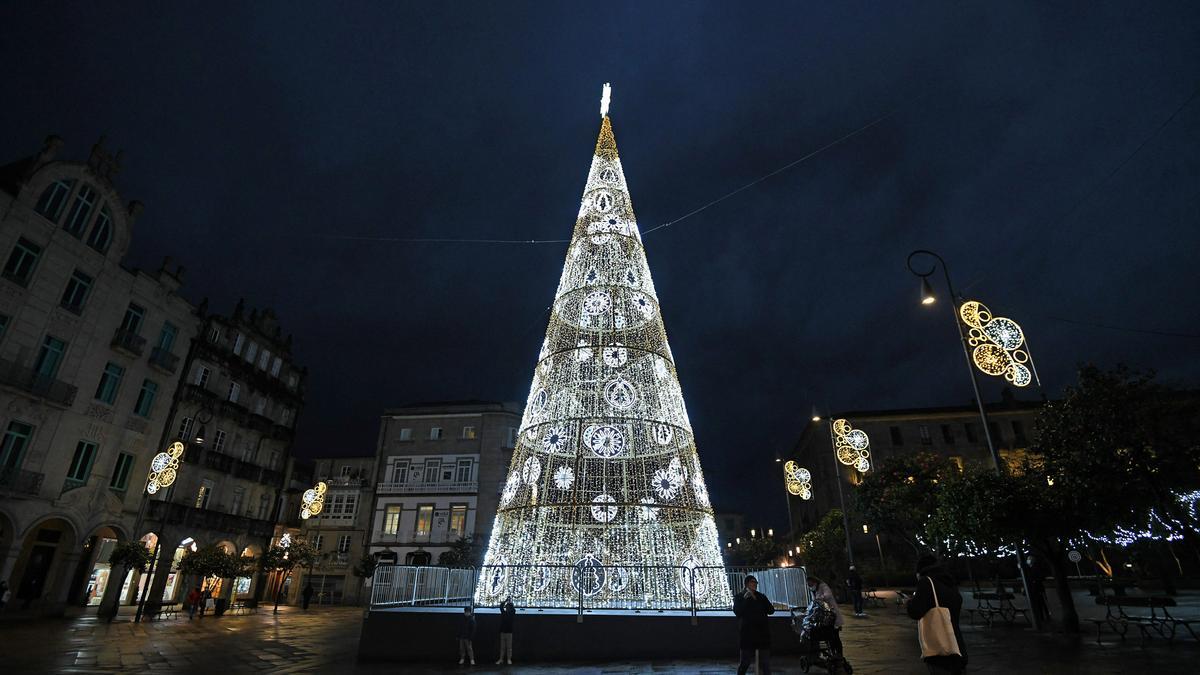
<point>439,474</point>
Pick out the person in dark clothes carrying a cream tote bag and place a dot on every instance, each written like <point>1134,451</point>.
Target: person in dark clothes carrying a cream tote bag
<point>937,607</point>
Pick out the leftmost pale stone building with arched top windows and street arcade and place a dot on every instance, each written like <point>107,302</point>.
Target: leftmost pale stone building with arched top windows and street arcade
<point>89,366</point>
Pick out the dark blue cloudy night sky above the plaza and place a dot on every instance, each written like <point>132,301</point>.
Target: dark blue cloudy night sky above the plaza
<point>1049,153</point>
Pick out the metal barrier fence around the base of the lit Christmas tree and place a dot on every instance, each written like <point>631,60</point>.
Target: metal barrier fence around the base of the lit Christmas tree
<point>627,588</point>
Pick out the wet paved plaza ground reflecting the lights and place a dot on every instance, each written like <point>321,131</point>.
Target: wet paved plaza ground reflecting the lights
<point>326,641</point>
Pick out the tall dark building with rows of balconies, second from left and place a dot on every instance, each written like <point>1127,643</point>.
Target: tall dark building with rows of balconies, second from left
<point>236,411</point>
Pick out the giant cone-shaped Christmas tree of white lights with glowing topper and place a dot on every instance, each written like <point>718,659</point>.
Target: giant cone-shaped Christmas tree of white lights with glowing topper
<point>605,499</point>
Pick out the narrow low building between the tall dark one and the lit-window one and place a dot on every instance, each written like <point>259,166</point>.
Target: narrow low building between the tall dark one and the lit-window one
<point>341,533</point>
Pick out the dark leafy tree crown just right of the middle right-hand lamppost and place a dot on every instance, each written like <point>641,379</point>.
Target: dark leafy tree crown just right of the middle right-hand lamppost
<point>899,494</point>
